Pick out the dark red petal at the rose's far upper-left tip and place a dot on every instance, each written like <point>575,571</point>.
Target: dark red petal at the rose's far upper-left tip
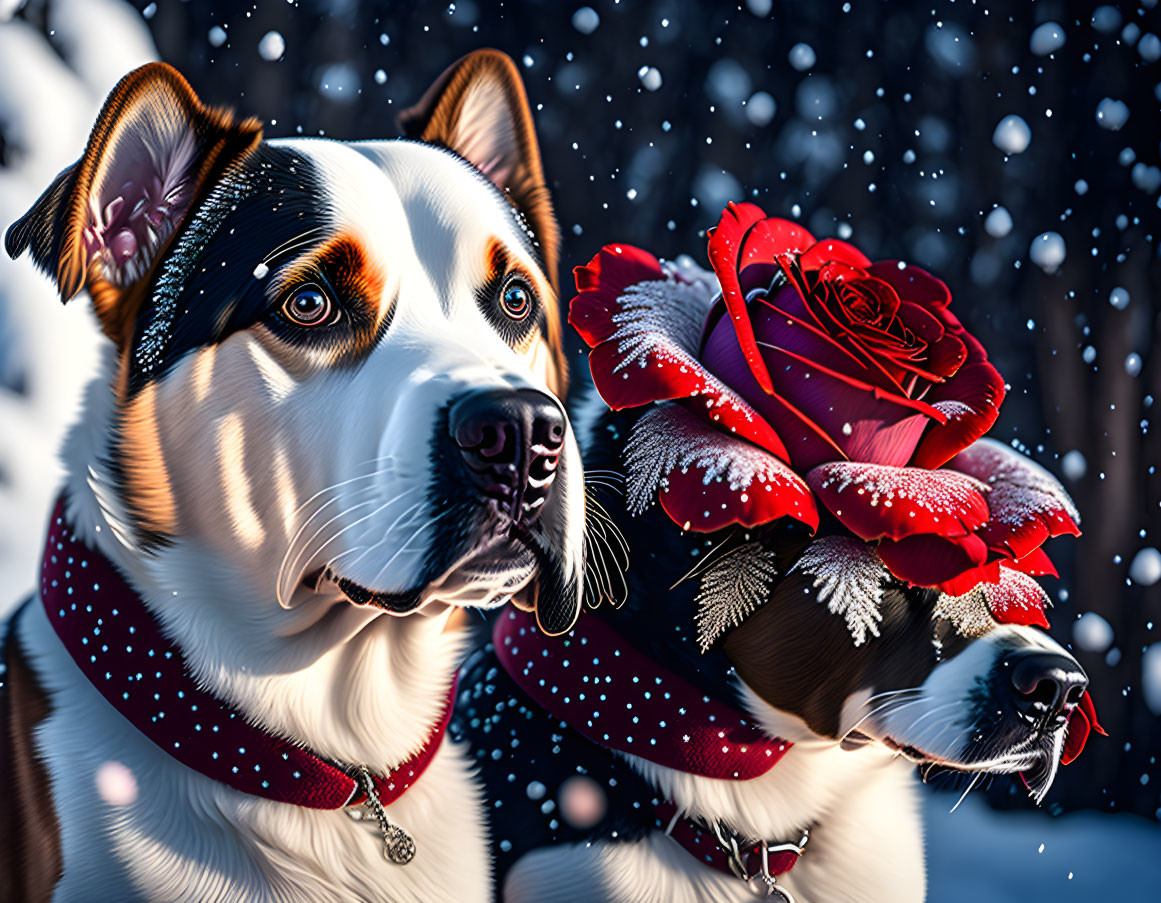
<point>602,283</point>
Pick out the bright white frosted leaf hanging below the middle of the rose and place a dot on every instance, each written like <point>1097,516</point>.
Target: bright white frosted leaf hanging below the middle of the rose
<point>849,579</point>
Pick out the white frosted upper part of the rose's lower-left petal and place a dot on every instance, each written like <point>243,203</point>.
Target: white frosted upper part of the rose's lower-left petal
<point>669,438</point>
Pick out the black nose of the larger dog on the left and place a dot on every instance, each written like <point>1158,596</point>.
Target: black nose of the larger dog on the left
<point>511,442</point>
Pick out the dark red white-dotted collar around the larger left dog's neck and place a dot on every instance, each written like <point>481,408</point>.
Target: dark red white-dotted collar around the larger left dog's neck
<point>119,646</point>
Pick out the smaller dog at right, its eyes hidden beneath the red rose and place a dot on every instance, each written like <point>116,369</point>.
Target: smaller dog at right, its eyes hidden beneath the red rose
<point>628,764</point>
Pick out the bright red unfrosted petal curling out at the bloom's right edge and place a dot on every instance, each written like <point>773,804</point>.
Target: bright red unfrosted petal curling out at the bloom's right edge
<point>971,401</point>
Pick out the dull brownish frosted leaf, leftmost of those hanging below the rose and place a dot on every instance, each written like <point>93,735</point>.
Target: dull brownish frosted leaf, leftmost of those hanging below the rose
<point>732,590</point>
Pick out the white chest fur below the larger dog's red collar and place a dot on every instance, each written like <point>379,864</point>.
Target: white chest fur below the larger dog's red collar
<point>139,826</point>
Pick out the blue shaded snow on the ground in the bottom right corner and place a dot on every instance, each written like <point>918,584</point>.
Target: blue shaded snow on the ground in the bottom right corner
<point>979,855</point>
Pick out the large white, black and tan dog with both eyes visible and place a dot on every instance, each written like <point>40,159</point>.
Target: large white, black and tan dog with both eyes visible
<point>328,424</point>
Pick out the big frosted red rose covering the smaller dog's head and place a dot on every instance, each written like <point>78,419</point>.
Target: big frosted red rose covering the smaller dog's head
<point>801,373</point>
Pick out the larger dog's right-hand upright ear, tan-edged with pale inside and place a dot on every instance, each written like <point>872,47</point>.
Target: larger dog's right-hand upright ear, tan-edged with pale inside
<point>479,110</point>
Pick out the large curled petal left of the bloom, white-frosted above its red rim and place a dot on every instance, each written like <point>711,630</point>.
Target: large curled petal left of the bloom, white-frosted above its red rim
<point>651,355</point>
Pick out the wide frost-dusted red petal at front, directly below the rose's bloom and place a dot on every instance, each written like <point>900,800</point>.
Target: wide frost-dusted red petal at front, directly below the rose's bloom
<point>879,501</point>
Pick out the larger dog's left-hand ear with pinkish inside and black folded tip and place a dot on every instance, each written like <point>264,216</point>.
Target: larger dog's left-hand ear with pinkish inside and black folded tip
<point>106,221</point>
